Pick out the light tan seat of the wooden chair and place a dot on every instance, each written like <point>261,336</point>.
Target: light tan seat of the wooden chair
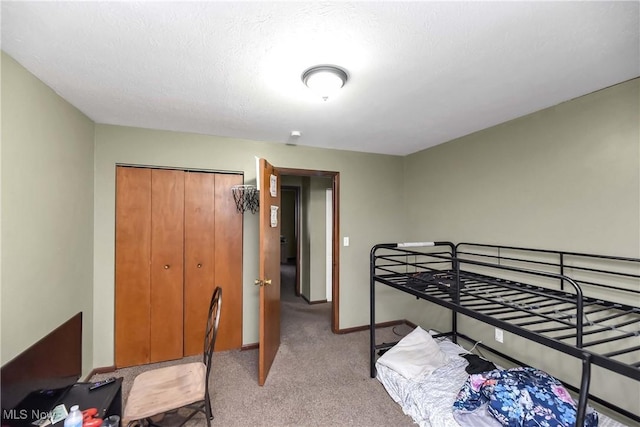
<point>161,390</point>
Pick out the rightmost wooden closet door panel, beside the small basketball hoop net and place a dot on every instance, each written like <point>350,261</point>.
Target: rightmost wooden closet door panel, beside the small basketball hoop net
<point>228,243</point>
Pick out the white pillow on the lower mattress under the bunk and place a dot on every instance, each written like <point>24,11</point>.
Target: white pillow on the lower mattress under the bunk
<point>415,355</point>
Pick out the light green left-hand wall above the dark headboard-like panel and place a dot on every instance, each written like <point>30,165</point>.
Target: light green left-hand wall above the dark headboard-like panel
<point>47,213</point>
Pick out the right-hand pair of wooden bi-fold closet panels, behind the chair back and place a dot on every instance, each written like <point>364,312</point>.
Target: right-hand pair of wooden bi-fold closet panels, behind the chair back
<point>213,257</point>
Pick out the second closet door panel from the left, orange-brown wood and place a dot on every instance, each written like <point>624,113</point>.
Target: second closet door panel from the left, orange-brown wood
<point>167,245</point>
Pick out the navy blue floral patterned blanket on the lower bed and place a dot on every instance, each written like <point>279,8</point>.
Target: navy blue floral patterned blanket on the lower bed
<point>521,396</point>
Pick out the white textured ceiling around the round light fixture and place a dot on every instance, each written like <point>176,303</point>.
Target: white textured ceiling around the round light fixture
<point>421,73</point>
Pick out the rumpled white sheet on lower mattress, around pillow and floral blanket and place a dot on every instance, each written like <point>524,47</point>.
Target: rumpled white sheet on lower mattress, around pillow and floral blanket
<point>429,399</point>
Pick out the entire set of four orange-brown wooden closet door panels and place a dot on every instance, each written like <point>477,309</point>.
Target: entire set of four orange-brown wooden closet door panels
<point>177,237</point>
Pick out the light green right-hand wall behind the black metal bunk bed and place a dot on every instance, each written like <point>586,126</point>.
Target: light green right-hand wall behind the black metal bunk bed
<point>567,177</point>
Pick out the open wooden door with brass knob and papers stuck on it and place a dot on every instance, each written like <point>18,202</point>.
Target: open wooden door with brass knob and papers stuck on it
<point>269,280</point>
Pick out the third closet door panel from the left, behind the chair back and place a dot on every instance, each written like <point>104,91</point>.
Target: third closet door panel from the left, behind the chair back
<point>199,210</point>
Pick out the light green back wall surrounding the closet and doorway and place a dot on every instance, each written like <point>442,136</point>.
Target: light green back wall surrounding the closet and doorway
<point>365,216</point>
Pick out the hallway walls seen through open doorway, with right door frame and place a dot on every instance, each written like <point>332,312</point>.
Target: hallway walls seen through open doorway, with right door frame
<point>310,236</point>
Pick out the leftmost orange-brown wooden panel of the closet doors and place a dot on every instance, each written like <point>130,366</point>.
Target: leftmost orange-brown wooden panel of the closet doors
<point>132,273</point>
